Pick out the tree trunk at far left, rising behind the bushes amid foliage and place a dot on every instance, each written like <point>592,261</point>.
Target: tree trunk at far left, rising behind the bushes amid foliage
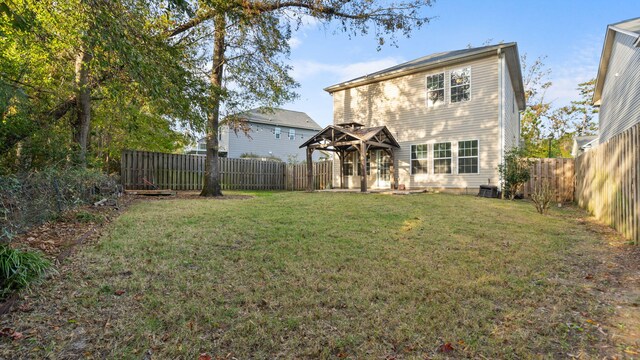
<point>83,106</point>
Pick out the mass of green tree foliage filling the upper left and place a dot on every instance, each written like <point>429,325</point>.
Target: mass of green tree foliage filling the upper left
<point>143,87</point>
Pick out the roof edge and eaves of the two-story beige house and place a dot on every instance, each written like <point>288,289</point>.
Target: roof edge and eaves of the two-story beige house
<point>443,59</point>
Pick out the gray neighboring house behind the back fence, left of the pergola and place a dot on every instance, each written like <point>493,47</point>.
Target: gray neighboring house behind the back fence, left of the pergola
<point>276,134</point>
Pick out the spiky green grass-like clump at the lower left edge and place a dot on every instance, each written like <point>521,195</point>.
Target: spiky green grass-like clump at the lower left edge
<point>19,268</point>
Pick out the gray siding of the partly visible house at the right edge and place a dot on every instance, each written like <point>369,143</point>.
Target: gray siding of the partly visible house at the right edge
<point>620,100</point>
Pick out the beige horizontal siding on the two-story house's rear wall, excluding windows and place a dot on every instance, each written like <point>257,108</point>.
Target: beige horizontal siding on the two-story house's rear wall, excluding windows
<point>400,104</point>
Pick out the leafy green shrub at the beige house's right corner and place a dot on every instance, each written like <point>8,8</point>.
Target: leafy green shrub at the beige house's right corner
<point>514,172</point>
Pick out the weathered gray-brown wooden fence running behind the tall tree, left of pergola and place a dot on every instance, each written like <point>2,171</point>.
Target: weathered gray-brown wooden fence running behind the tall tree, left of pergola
<point>143,170</point>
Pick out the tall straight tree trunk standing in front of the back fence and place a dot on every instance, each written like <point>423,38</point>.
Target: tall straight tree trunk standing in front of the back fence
<point>211,167</point>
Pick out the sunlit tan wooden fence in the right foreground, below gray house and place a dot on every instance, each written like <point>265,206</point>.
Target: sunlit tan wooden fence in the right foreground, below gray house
<point>607,182</point>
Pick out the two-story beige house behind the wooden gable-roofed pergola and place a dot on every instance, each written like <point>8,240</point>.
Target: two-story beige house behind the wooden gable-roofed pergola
<point>453,114</point>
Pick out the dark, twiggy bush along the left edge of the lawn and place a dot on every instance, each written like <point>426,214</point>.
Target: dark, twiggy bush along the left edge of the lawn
<point>30,199</point>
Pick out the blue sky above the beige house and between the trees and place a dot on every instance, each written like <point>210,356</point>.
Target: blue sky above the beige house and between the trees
<point>569,33</point>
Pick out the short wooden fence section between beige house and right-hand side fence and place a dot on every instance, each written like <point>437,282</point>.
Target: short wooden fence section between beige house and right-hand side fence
<point>560,175</point>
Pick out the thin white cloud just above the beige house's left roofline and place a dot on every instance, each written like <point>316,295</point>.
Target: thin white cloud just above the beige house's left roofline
<point>341,72</point>
